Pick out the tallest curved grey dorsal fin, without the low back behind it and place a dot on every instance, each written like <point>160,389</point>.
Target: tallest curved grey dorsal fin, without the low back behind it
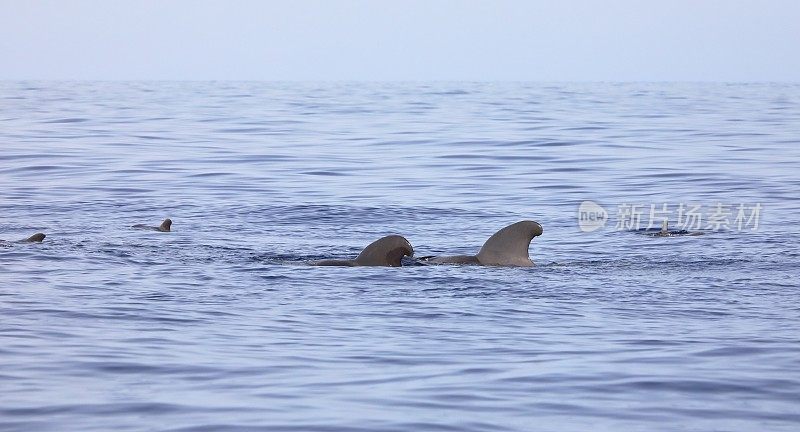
<point>509,246</point>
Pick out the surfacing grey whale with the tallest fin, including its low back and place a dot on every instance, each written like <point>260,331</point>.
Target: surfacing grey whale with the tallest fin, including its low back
<point>507,247</point>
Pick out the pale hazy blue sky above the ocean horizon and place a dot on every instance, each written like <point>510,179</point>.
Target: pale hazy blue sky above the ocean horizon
<point>623,40</point>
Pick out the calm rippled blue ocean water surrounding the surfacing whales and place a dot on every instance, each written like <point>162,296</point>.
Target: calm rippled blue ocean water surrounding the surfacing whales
<point>218,325</point>
